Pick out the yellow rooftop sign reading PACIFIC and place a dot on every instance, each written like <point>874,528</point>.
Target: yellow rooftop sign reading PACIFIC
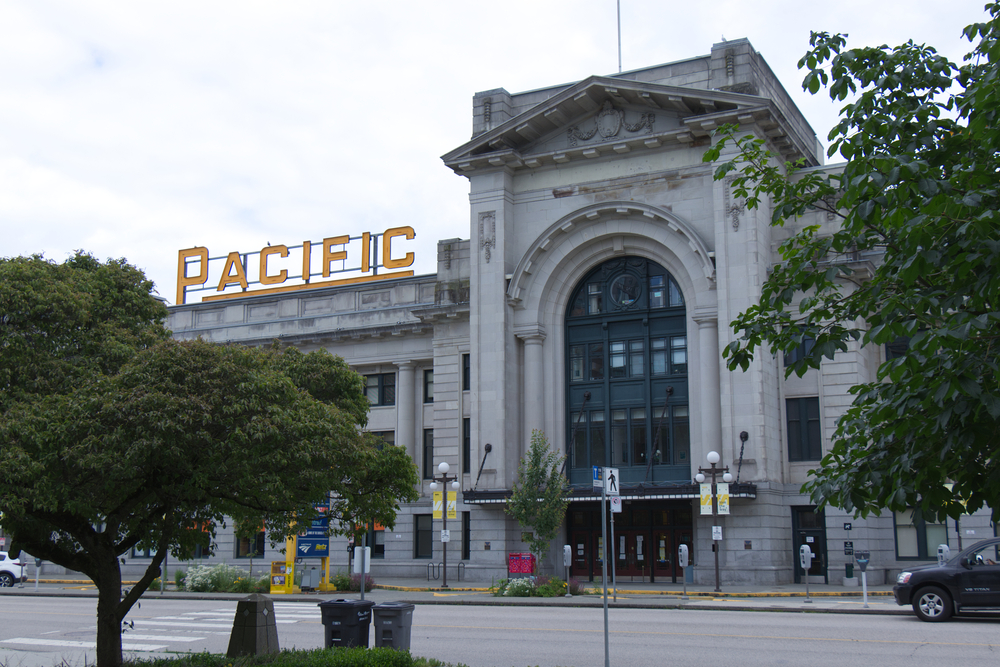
<point>271,269</point>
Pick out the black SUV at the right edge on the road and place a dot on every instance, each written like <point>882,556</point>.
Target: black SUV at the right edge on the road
<point>970,580</point>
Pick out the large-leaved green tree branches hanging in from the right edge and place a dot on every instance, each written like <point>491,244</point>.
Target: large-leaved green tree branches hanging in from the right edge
<point>921,140</point>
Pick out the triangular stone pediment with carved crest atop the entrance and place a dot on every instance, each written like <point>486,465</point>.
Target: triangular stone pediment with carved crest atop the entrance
<point>603,115</point>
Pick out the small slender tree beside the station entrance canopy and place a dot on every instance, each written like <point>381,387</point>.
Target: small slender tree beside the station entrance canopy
<point>540,496</point>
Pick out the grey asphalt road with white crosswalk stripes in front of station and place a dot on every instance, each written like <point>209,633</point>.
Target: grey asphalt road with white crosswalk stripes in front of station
<point>44,632</point>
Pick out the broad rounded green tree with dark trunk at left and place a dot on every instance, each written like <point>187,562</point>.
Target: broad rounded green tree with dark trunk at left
<point>116,436</point>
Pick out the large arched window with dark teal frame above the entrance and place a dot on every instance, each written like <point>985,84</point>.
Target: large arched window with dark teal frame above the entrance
<point>626,345</point>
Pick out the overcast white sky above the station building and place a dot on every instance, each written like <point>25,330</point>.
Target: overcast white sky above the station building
<point>135,129</point>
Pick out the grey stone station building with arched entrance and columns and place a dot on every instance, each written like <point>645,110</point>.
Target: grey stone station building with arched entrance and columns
<point>590,301</point>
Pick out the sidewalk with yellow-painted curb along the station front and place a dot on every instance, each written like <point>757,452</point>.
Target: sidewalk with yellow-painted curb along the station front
<point>790,597</point>
